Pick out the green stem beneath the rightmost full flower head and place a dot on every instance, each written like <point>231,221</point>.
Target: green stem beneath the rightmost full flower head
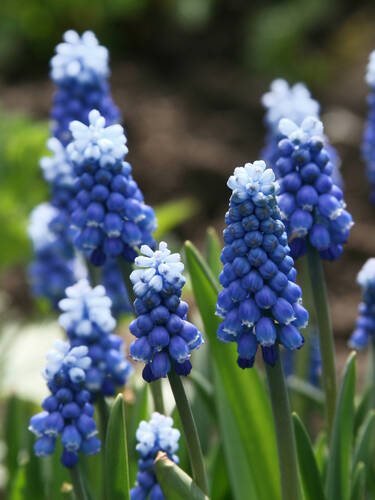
<point>327,347</point>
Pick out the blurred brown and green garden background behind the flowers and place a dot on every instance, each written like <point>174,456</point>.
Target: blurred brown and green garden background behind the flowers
<point>188,76</point>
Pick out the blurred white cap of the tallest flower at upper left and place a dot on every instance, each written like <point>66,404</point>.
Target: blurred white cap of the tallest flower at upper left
<point>80,58</point>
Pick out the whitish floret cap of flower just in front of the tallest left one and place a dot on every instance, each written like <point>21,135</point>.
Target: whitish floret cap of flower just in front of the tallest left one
<point>96,142</point>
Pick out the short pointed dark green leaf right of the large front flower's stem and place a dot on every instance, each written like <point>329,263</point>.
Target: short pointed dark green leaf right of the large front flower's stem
<point>310,475</point>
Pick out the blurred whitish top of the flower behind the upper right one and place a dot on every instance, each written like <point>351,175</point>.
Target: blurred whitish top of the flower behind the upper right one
<point>284,101</point>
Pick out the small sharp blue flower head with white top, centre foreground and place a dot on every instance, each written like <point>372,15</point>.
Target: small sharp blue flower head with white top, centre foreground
<point>165,338</point>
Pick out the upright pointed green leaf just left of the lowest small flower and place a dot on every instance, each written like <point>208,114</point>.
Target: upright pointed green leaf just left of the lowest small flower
<point>116,454</point>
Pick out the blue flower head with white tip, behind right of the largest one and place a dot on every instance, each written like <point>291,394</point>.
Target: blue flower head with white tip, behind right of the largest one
<point>311,204</point>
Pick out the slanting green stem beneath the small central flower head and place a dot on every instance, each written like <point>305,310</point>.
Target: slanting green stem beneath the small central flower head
<point>190,431</point>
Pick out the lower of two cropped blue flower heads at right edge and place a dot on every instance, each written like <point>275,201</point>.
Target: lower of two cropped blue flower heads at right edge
<point>365,325</point>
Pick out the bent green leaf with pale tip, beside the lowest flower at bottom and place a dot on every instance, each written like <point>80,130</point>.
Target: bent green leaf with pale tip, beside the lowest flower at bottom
<point>174,482</point>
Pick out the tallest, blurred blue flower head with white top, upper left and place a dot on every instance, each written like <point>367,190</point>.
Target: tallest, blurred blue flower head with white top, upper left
<point>80,71</point>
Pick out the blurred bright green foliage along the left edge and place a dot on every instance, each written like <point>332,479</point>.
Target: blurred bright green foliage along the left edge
<point>22,143</point>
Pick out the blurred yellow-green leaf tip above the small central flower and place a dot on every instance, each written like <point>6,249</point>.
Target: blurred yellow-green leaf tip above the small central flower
<point>171,214</point>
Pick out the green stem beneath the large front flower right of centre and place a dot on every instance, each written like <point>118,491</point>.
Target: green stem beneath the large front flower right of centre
<point>286,444</point>
